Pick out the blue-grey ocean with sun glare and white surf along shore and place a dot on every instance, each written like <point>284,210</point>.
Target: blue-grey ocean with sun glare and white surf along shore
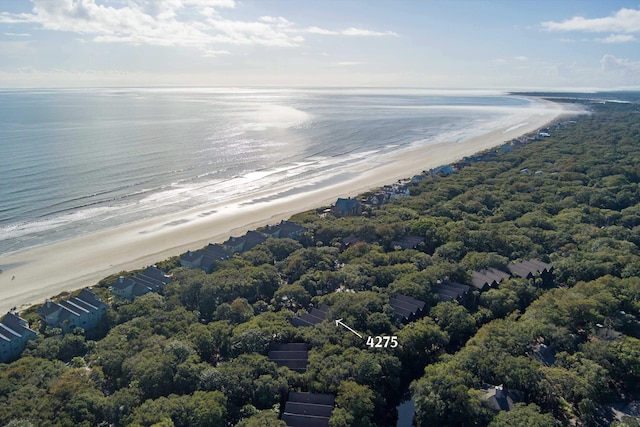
<point>77,161</point>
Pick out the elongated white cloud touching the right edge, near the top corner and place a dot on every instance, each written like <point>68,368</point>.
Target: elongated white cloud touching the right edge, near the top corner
<point>623,21</point>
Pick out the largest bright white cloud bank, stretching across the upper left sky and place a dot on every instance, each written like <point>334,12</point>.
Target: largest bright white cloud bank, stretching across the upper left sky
<point>188,23</point>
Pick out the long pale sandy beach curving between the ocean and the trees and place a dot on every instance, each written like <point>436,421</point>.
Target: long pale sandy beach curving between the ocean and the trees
<point>31,276</point>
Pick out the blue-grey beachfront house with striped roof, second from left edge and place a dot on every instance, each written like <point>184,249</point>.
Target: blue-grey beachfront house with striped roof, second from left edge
<point>82,311</point>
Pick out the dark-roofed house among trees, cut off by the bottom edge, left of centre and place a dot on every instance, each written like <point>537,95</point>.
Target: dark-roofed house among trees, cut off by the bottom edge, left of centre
<point>308,409</point>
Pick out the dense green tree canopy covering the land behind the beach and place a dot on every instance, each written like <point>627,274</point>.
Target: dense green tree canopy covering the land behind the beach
<point>196,354</point>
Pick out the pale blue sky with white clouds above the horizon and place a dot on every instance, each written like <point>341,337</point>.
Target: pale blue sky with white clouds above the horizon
<point>479,44</point>
